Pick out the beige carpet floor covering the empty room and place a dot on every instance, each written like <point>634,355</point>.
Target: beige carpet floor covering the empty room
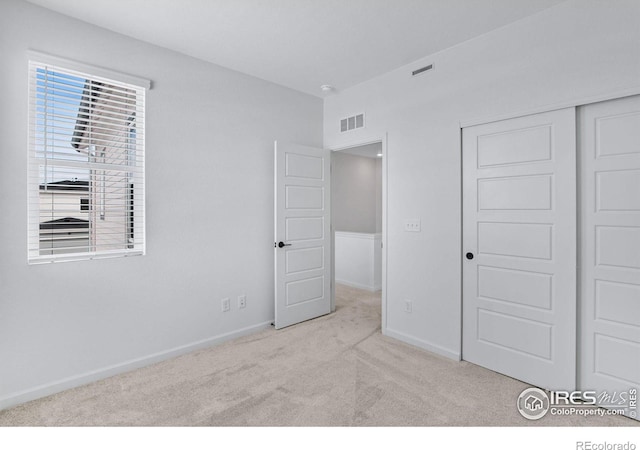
<point>337,370</point>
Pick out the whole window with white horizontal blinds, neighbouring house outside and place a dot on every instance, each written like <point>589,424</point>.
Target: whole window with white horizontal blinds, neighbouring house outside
<point>86,165</point>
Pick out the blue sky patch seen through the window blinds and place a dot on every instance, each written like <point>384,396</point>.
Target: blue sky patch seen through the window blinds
<point>58,97</point>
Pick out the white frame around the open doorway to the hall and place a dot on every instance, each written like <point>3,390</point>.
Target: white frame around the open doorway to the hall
<point>385,149</point>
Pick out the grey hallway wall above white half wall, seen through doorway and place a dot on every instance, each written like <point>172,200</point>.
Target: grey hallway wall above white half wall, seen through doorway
<point>354,184</point>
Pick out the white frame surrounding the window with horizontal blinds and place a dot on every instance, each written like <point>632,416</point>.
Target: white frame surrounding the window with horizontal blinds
<point>136,187</point>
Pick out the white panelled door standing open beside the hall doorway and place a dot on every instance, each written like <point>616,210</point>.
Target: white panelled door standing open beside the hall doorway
<point>302,233</point>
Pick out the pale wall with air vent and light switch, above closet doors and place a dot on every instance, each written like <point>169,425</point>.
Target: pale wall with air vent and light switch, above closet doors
<point>578,49</point>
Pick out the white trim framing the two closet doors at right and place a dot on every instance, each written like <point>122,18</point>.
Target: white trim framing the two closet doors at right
<point>574,102</point>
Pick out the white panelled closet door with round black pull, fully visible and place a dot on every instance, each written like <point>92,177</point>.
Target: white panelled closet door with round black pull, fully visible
<point>519,226</point>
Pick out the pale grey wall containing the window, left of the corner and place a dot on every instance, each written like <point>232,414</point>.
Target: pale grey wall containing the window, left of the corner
<point>209,169</point>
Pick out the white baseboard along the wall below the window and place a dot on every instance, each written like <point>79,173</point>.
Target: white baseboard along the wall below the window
<point>105,372</point>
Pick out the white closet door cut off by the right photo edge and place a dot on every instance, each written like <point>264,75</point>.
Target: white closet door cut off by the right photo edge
<point>610,243</point>
